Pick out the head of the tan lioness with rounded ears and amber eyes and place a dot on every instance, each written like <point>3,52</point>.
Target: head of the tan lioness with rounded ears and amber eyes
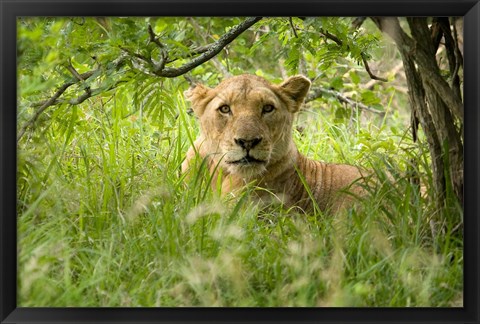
<point>246,121</point>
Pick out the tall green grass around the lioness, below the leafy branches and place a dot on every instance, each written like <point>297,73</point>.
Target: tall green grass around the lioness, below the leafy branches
<point>105,219</point>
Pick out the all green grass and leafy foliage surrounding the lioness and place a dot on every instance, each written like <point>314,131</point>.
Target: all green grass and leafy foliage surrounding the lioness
<point>106,219</point>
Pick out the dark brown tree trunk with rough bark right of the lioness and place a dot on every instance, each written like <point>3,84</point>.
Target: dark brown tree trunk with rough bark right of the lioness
<point>437,104</point>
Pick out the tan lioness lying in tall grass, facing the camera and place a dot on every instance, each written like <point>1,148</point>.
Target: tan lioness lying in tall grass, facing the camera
<point>246,135</point>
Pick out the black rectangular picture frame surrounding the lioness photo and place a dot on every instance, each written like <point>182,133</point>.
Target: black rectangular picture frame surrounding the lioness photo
<point>10,9</point>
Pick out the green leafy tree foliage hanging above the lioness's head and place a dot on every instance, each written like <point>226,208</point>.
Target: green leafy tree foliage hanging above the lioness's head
<point>98,45</point>
